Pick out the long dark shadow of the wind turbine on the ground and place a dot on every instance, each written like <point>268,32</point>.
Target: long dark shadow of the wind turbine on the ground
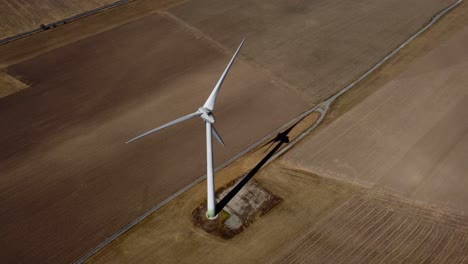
<point>281,138</point>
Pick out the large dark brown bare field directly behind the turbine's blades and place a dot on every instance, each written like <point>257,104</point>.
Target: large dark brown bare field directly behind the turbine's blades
<point>69,180</point>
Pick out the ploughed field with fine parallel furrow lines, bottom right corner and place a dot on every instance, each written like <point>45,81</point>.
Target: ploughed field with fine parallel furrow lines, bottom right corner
<point>373,229</point>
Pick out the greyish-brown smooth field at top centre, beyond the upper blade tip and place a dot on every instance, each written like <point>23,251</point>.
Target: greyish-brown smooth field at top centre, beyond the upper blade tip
<point>318,47</point>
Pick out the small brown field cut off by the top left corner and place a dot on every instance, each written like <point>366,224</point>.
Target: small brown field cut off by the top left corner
<point>18,16</point>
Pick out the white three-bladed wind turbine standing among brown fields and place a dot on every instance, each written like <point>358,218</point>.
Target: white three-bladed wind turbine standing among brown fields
<point>206,113</point>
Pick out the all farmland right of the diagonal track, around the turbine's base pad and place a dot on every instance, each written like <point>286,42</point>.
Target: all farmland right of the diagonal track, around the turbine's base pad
<point>327,216</point>
